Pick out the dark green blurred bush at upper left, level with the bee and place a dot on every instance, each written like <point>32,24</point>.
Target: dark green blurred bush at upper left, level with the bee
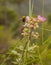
<point>11,15</point>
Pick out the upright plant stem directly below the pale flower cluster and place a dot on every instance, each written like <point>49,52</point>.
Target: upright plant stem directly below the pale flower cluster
<point>25,51</point>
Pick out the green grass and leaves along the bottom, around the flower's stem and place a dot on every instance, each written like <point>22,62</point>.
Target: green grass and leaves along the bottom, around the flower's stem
<point>36,54</point>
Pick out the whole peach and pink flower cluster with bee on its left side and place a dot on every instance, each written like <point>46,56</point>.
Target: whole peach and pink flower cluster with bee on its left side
<point>30,26</point>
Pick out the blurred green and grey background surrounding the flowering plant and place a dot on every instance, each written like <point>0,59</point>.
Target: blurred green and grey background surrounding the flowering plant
<point>10,29</point>
